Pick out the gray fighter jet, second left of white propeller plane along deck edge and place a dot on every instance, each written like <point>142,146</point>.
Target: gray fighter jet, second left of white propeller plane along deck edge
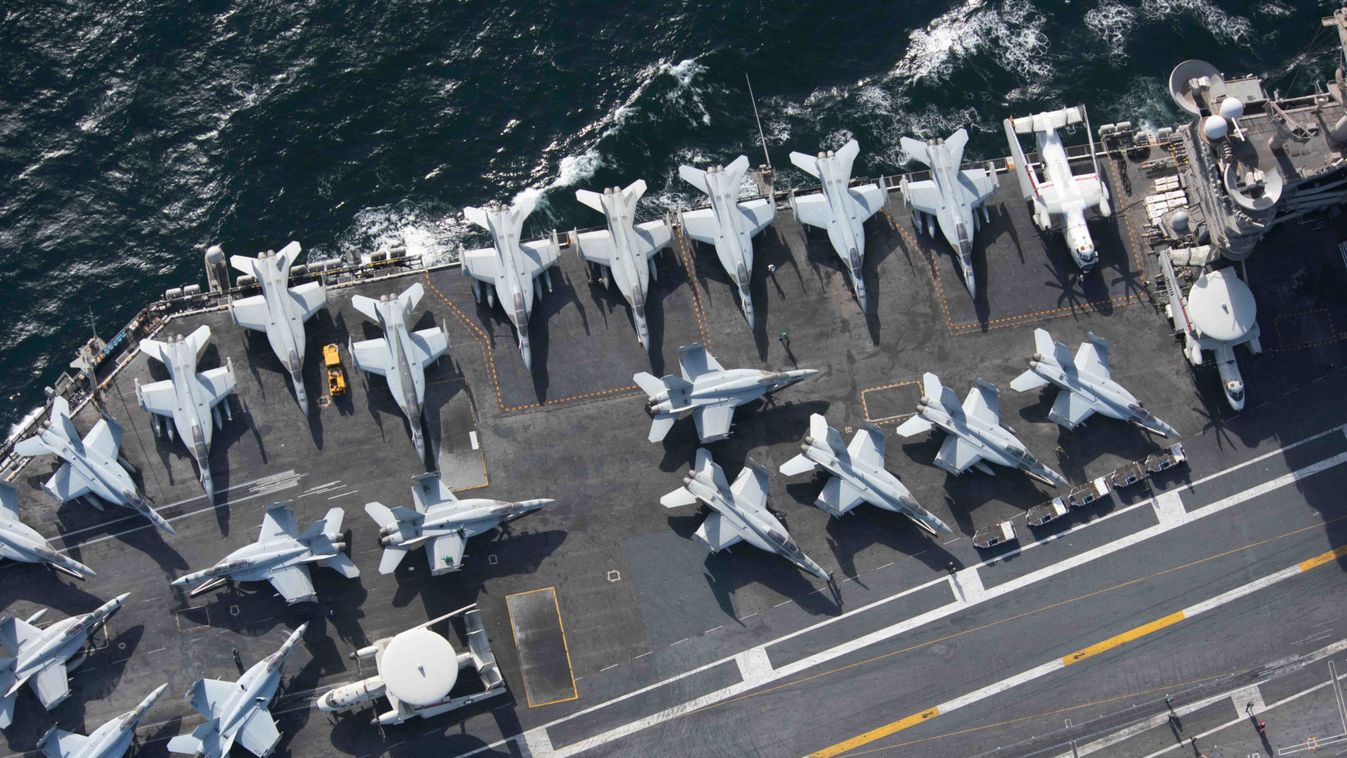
<point>841,209</point>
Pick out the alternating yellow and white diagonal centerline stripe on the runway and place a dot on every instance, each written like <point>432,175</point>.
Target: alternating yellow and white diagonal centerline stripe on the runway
<point>1058,664</point>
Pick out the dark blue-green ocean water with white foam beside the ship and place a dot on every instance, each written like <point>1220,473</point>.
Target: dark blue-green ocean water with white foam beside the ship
<point>134,135</point>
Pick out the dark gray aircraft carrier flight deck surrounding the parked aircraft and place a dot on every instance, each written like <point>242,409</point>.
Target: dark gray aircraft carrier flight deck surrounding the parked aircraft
<point>618,633</point>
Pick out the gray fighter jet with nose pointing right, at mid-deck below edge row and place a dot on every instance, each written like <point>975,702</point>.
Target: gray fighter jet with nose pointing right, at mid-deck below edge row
<point>709,391</point>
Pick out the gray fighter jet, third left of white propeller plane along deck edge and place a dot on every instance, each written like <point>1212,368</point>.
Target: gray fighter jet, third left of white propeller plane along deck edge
<point>728,224</point>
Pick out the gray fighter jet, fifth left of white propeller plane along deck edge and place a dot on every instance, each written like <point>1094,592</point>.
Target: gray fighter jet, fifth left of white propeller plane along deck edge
<point>510,267</point>
